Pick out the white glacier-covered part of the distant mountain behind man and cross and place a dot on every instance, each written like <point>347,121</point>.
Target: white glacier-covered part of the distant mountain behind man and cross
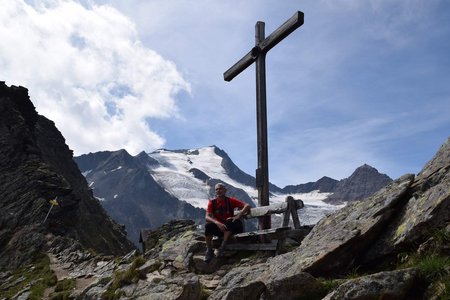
<point>187,175</point>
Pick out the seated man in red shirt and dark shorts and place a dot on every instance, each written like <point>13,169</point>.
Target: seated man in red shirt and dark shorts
<point>220,220</point>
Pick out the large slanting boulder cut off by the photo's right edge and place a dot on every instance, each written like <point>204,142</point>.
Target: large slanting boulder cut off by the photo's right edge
<point>426,211</point>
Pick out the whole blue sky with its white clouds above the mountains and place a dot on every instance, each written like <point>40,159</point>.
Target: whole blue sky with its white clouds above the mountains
<point>359,82</point>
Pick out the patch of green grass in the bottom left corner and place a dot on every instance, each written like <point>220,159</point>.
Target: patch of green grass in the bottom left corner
<point>37,276</point>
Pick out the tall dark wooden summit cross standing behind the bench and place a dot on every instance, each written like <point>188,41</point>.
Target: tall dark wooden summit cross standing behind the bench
<point>258,54</point>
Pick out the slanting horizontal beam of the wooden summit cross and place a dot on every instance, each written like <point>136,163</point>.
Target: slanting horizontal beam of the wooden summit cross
<point>268,43</point>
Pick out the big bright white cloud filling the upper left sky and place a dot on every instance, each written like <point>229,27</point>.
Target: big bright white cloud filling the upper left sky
<point>86,69</point>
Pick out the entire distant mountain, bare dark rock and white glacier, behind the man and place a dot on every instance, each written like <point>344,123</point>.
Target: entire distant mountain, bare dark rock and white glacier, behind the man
<point>149,189</point>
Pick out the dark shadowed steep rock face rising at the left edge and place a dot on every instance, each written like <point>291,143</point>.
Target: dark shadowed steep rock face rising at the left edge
<point>35,166</point>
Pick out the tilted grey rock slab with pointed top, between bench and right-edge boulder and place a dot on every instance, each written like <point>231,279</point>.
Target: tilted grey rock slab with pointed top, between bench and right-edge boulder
<point>337,239</point>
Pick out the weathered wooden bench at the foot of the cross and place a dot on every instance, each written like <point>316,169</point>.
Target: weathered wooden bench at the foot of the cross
<point>271,239</point>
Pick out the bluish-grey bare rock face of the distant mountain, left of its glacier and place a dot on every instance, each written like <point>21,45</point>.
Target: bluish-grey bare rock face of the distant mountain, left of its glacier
<point>133,197</point>
